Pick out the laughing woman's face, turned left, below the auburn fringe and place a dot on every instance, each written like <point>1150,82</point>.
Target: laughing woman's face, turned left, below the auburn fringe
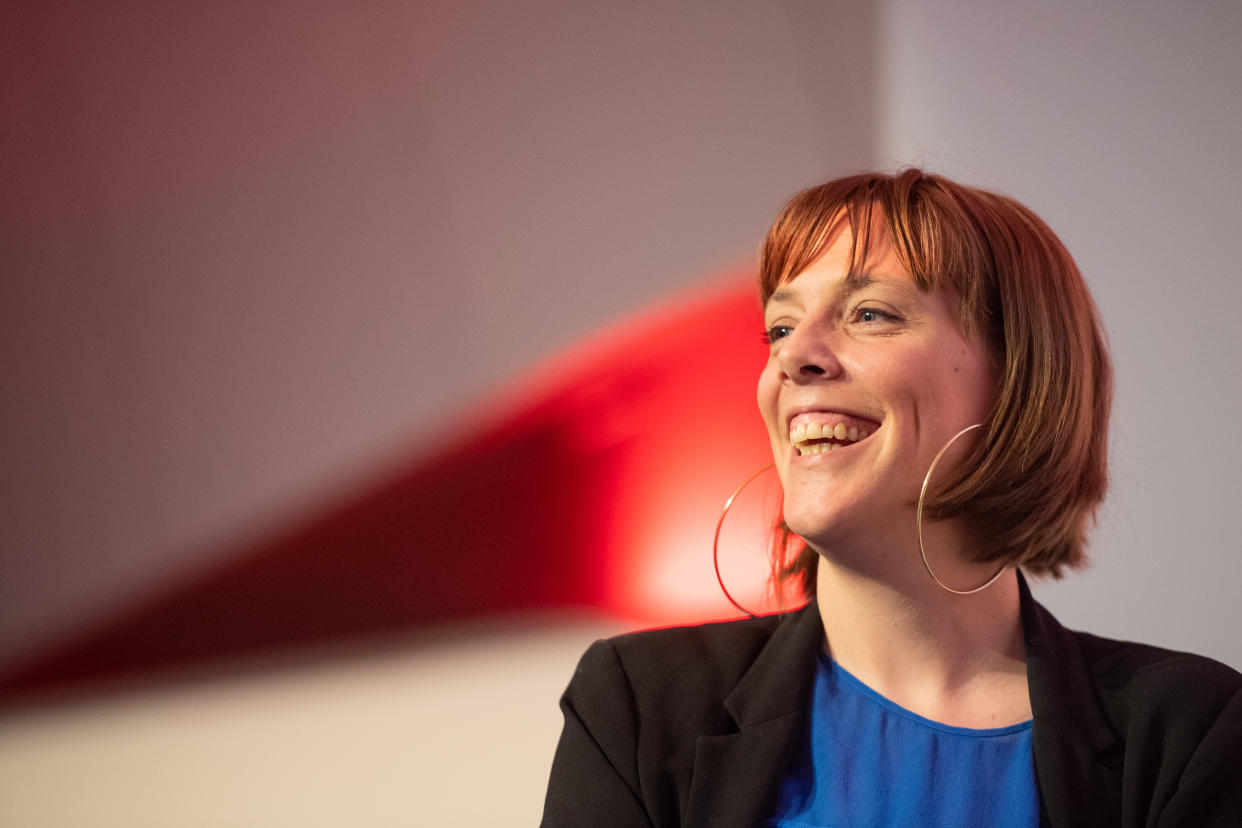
<point>868,379</point>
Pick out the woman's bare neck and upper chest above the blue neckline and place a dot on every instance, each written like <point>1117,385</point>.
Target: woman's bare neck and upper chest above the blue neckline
<point>952,659</point>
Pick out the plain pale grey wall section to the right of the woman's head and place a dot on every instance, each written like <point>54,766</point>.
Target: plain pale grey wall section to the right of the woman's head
<point>1118,124</point>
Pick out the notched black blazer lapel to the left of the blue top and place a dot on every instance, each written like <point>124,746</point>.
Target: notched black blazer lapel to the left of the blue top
<point>736,774</point>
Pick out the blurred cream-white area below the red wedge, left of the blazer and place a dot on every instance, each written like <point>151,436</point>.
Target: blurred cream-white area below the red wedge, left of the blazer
<point>451,731</point>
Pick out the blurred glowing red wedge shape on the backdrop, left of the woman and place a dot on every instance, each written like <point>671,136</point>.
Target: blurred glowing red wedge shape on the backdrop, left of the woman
<point>605,475</point>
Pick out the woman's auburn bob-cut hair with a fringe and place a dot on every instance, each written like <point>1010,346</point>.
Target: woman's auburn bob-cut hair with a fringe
<point>1033,485</point>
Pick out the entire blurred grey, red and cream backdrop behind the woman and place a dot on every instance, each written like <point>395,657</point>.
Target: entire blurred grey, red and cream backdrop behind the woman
<point>365,362</point>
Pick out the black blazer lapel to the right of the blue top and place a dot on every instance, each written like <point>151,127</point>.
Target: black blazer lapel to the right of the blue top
<point>1072,739</point>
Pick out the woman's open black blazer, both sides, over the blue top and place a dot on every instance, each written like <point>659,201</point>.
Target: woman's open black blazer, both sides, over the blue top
<point>696,727</point>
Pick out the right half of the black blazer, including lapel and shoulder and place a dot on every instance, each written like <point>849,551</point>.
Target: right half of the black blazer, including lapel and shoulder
<point>1128,728</point>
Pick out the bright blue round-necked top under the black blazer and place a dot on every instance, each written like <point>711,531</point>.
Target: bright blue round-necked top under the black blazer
<point>866,762</point>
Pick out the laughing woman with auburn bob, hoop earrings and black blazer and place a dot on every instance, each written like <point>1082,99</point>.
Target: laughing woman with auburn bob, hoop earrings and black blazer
<point>915,326</point>
